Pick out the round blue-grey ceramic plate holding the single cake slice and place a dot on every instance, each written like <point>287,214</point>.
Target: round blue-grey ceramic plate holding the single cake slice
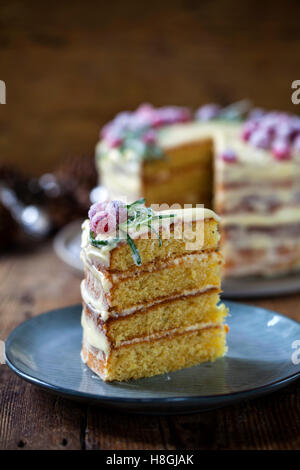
<point>45,351</point>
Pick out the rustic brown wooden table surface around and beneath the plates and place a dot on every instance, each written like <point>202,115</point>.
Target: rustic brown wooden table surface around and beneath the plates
<point>31,418</point>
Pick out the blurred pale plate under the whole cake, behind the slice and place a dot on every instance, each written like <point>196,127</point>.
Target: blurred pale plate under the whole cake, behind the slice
<point>67,247</point>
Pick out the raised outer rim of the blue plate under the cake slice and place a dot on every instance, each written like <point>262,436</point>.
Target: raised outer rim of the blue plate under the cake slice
<point>256,391</point>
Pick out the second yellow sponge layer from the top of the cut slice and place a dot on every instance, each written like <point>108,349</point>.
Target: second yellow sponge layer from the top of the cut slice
<point>182,275</point>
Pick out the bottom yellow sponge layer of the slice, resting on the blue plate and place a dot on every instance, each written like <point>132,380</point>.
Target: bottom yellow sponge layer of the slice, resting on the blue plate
<point>162,355</point>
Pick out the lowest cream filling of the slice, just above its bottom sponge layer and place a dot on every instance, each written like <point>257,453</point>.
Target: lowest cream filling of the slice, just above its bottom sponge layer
<point>96,338</point>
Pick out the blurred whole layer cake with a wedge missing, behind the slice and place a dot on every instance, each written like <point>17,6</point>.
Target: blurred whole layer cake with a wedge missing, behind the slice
<point>248,172</point>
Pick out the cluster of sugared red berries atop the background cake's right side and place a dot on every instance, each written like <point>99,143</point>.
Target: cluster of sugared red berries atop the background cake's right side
<point>275,131</point>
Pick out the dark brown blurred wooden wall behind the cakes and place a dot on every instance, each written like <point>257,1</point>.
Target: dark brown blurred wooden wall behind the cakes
<point>69,66</point>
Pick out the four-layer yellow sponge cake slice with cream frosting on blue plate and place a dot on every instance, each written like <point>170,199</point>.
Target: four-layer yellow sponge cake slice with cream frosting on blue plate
<point>151,290</point>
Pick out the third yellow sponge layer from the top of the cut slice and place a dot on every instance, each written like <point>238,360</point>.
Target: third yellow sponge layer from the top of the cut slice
<point>176,313</point>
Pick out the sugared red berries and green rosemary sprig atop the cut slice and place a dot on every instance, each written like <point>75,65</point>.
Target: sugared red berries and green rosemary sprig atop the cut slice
<point>111,222</point>
